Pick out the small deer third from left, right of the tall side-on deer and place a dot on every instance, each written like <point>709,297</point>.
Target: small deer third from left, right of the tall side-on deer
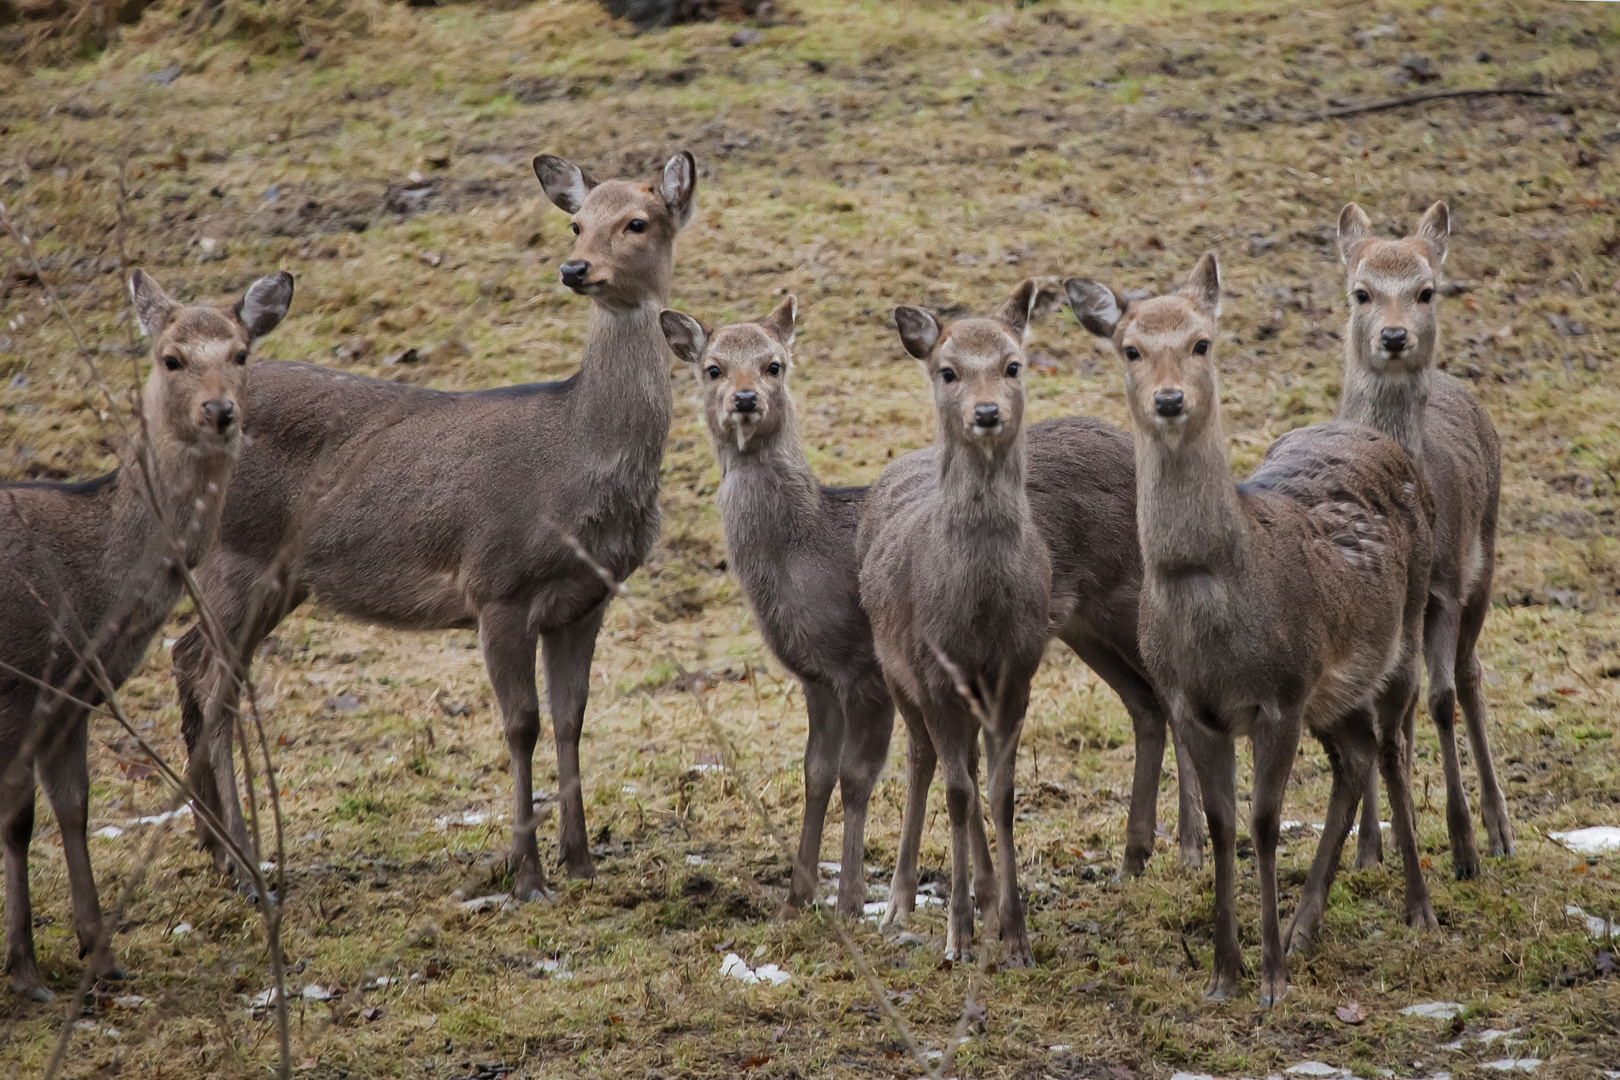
<point>793,545</point>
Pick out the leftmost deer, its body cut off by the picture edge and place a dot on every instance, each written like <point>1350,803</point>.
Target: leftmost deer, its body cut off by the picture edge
<point>88,574</point>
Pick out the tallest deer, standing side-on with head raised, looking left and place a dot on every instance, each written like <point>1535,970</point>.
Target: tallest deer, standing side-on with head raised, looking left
<point>458,509</point>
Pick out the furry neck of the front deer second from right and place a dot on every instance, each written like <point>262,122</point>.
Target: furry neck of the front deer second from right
<point>1187,504</point>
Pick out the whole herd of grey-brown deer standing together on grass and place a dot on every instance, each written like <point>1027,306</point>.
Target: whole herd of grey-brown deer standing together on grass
<point>1307,597</point>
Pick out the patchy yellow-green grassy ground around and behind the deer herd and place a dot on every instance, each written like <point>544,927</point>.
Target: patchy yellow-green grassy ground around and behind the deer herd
<point>859,155</point>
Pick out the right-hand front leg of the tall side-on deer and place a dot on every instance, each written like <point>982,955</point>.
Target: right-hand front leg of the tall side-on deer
<point>566,657</point>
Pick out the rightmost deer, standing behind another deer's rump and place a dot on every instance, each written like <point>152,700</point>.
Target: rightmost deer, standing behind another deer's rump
<point>1391,383</point>
